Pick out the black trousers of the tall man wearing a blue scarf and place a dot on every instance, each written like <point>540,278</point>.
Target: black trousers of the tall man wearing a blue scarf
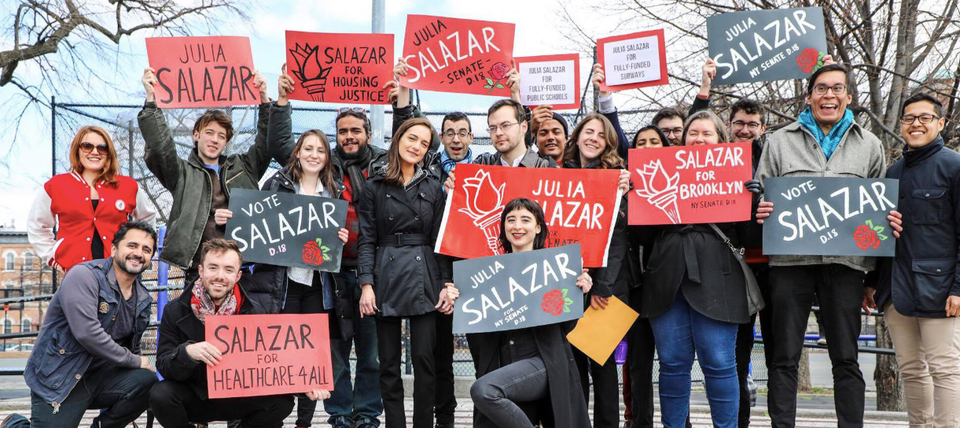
<point>840,291</point>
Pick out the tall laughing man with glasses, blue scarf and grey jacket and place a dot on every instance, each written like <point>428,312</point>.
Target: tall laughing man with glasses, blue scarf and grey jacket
<point>825,141</point>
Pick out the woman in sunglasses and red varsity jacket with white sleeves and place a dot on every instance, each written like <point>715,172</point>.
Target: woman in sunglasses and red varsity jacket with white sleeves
<point>87,204</point>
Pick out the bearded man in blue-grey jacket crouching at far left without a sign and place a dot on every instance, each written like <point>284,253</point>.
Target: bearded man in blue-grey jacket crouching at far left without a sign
<point>88,351</point>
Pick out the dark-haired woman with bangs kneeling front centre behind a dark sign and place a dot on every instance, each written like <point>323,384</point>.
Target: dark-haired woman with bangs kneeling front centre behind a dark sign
<point>540,356</point>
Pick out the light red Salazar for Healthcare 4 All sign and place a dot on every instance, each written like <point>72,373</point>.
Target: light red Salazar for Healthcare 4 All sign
<point>269,354</point>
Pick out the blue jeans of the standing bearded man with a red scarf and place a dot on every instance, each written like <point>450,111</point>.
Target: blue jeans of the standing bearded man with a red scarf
<point>358,401</point>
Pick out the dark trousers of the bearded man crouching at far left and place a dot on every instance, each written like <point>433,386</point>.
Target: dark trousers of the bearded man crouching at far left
<point>123,393</point>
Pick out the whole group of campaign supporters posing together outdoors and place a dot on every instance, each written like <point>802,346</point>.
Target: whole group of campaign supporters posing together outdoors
<point>684,280</point>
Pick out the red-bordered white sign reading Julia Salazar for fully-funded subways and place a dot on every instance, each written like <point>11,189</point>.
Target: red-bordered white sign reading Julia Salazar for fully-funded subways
<point>633,61</point>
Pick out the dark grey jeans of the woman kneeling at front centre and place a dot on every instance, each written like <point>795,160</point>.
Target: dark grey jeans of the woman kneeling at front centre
<point>496,394</point>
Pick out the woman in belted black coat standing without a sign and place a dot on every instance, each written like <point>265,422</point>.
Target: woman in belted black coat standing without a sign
<point>400,213</point>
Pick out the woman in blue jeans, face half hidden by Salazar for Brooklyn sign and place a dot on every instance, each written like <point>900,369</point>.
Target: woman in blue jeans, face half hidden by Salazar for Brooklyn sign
<point>694,294</point>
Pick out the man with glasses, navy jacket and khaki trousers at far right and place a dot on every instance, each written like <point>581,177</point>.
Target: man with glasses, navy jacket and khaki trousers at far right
<point>918,291</point>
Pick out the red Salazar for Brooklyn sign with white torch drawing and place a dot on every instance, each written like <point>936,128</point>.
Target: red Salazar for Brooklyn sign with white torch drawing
<point>690,184</point>
